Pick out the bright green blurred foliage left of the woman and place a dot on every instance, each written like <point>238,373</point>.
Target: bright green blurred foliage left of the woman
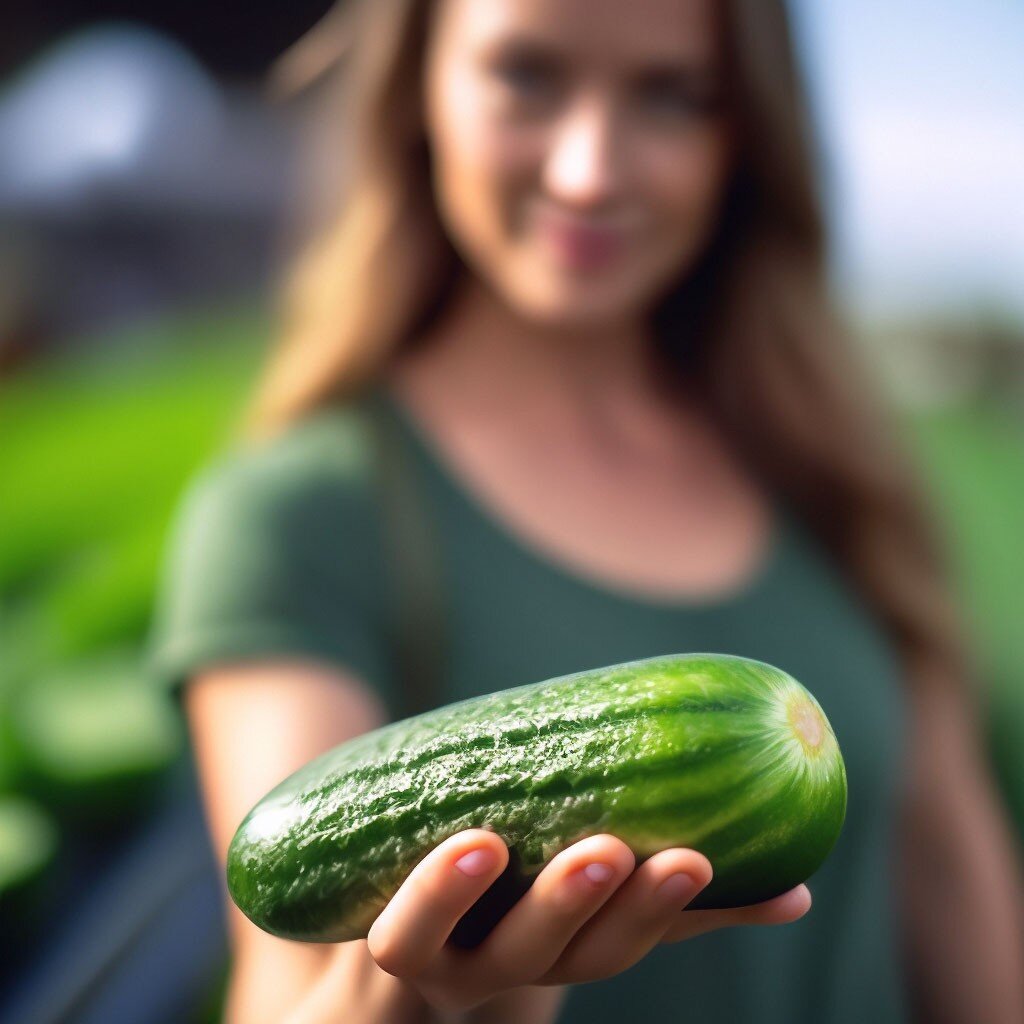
<point>98,447</point>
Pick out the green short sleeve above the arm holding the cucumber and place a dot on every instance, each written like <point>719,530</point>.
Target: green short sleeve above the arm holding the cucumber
<point>272,553</point>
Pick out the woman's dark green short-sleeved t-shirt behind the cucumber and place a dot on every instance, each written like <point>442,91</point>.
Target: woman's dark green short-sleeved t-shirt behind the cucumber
<point>279,551</point>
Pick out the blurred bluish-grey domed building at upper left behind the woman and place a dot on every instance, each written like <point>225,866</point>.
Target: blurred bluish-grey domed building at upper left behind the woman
<point>131,182</point>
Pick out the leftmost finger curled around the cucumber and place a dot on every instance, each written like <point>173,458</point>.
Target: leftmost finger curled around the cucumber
<point>412,930</point>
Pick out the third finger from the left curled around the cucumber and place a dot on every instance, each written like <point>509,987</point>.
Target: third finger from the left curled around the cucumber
<point>634,920</point>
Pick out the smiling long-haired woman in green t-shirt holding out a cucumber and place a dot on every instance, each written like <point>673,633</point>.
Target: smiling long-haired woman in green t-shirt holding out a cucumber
<point>580,260</point>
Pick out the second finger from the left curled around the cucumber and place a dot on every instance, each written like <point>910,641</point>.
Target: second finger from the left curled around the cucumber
<point>567,894</point>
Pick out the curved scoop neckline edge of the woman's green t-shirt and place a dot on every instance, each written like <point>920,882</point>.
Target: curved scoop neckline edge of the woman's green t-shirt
<point>567,573</point>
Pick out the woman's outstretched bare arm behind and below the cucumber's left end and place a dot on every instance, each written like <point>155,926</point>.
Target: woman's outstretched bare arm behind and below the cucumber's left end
<point>252,727</point>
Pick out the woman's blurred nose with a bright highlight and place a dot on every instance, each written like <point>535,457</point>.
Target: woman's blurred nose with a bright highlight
<point>581,165</point>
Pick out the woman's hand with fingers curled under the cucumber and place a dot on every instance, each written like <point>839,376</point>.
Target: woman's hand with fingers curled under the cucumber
<point>588,916</point>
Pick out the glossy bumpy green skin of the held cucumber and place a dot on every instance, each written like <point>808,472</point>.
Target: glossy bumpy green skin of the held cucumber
<point>682,750</point>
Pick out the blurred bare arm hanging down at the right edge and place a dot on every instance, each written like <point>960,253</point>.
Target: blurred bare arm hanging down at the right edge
<point>961,873</point>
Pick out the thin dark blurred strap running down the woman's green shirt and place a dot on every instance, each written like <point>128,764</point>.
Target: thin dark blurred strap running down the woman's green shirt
<point>413,553</point>
